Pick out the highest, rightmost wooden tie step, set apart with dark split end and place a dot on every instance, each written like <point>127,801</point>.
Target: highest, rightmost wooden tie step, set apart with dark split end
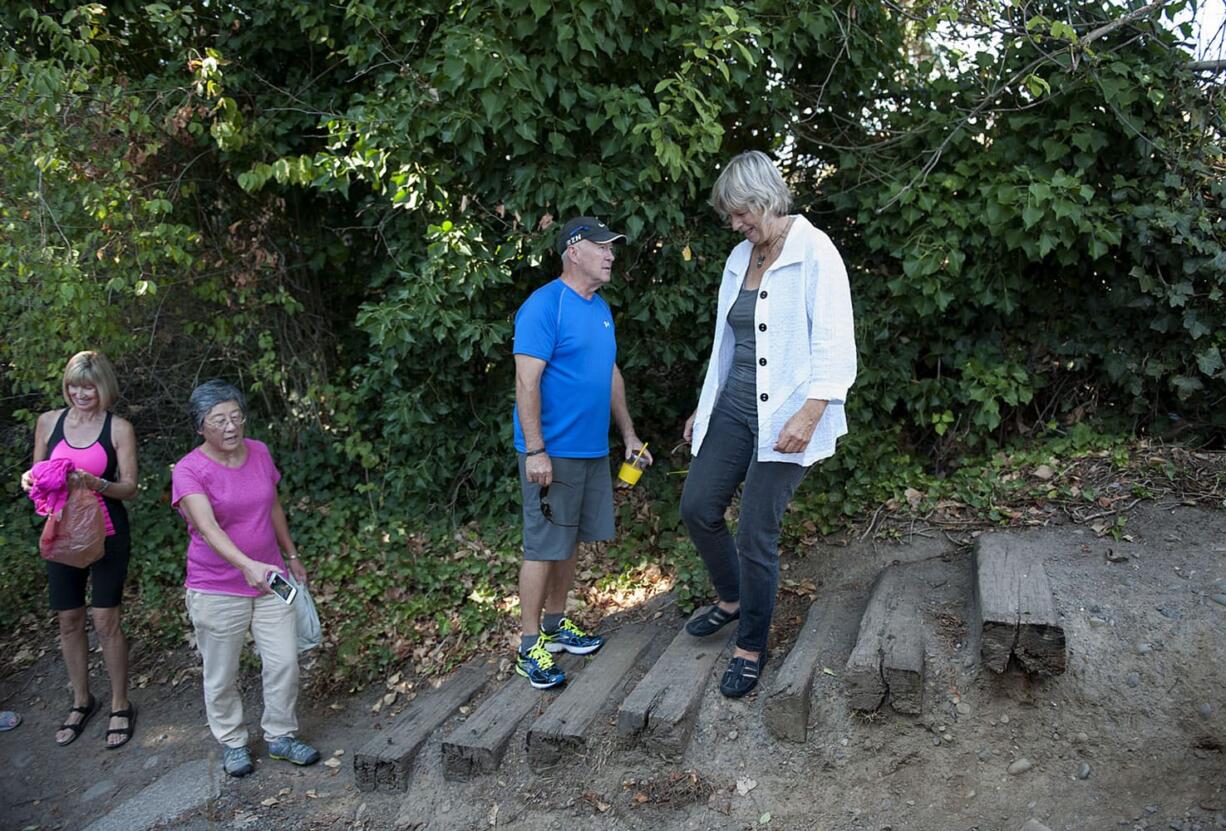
<point>1015,607</point>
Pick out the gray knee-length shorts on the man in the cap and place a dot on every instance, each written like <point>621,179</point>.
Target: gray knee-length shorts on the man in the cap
<point>581,506</point>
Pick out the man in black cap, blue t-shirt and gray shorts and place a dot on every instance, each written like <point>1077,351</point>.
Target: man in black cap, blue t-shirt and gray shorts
<point>567,385</point>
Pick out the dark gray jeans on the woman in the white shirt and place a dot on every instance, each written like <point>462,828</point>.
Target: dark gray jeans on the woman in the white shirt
<point>746,569</point>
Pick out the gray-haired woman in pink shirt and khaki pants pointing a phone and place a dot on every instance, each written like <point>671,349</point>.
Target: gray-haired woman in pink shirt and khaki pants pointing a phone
<point>227,492</point>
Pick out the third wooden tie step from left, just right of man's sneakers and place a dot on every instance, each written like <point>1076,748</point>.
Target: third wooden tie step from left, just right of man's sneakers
<point>566,727</point>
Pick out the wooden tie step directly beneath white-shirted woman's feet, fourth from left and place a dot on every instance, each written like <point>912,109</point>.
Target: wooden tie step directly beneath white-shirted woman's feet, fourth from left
<point>663,709</point>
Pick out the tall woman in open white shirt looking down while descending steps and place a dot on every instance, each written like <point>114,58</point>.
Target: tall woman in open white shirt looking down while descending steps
<point>773,401</point>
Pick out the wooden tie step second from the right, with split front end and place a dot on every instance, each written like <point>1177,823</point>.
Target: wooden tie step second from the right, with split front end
<point>888,661</point>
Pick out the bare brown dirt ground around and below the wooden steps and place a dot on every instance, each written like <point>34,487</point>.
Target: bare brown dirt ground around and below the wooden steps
<point>1133,736</point>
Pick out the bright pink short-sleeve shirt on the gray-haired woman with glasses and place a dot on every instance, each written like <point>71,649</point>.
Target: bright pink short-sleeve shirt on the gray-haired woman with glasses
<point>242,499</point>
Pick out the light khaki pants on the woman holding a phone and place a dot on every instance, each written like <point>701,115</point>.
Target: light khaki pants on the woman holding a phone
<point>221,623</point>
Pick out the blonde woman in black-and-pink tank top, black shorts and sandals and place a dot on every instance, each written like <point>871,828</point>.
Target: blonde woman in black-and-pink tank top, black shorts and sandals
<point>102,449</point>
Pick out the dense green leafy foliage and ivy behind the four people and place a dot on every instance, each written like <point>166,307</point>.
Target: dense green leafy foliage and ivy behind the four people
<point>341,205</point>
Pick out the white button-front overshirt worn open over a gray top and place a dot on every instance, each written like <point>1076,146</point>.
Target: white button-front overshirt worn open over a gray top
<point>806,351</point>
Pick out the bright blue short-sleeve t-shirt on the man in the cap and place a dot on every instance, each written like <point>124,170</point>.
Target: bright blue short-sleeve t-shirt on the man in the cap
<point>577,340</point>
